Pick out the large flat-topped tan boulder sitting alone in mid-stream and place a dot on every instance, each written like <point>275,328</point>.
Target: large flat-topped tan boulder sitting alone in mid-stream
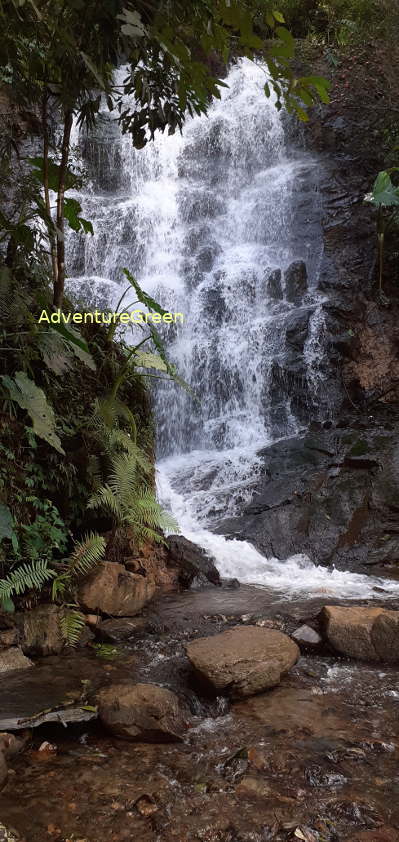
<point>243,660</point>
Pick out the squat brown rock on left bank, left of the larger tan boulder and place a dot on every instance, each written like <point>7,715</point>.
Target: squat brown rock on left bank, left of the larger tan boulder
<point>40,631</point>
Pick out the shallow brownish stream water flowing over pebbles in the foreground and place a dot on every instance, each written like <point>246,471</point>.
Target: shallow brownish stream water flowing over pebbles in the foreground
<point>318,753</point>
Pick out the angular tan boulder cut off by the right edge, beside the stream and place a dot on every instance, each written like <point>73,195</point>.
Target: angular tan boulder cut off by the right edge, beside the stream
<point>371,634</point>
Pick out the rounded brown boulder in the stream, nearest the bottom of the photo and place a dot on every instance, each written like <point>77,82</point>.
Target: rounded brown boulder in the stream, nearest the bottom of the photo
<point>141,712</point>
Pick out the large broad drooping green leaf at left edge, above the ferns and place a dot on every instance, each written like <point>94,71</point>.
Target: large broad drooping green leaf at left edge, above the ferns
<point>30,397</point>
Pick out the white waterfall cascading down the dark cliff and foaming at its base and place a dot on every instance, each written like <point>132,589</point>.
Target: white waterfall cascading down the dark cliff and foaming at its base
<point>204,220</point>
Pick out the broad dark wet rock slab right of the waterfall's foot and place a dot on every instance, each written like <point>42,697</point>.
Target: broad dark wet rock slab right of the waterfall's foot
<point>327,494</point>
